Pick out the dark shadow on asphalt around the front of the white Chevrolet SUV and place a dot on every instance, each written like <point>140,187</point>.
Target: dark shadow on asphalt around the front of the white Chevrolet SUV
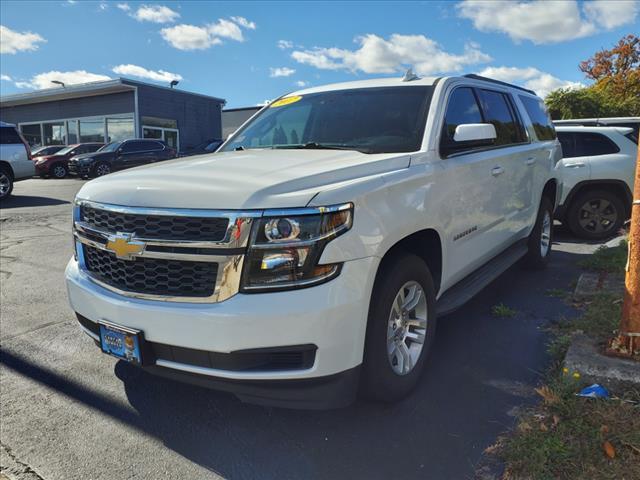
<point>481,367</point>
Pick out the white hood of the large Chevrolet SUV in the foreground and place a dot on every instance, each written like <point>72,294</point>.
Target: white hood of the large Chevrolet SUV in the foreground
<point>251,179</point>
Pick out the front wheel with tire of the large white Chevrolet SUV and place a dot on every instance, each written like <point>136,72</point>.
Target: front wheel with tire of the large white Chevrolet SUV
<point>383,378</point>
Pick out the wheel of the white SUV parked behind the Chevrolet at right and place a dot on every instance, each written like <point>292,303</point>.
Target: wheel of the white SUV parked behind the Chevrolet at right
<point>596,214</point>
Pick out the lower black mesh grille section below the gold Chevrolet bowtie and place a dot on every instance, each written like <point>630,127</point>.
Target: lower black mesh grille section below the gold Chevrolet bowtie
<point>152,276</point>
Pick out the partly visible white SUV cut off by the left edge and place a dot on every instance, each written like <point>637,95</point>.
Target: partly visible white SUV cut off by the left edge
<point>15,159</point>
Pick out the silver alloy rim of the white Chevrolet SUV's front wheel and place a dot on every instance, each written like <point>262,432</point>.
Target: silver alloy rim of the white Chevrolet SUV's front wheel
<point>407,328</point>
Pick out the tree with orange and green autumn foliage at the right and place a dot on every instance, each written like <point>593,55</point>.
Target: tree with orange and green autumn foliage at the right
<point>616,88</point>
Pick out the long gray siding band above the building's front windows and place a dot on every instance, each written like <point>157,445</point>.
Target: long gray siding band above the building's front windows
<point>73,108</point>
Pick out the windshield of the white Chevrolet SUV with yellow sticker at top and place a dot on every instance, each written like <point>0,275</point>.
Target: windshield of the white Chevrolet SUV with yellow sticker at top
<point>370,120</point>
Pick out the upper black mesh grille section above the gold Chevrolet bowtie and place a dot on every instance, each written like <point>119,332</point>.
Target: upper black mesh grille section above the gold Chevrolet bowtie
<point>157,227</point>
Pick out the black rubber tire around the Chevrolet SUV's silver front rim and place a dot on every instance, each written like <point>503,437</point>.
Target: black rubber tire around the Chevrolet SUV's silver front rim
<point>379,381</point>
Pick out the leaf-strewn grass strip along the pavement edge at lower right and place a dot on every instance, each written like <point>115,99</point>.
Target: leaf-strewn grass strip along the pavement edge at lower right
<point>570,437</point>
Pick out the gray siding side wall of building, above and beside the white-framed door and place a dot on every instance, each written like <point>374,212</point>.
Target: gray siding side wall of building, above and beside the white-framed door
<point>199,118</point>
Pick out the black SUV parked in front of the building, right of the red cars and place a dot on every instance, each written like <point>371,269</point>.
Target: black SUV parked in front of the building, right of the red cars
<point>118,156</point>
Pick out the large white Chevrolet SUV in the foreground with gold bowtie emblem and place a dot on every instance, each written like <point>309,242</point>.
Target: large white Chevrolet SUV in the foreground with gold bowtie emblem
<point>311,255</point>
